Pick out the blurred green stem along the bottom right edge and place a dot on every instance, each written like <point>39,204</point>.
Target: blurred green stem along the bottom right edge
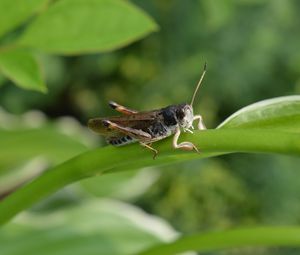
<point>236,238</point>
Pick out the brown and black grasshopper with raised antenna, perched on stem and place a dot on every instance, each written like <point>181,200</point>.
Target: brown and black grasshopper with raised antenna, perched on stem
<point>150,126</point>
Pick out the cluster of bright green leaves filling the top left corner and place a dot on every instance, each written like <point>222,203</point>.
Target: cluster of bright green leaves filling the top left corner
<point>64,27</point>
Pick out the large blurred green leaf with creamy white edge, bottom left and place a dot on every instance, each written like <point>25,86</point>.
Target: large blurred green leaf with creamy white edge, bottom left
<point>94,227</point>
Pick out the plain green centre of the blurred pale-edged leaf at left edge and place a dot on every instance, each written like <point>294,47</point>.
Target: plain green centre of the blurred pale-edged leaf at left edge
<point>20,145</point>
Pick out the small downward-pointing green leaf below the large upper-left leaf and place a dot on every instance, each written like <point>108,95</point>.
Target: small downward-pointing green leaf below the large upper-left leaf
<point>22,68</point>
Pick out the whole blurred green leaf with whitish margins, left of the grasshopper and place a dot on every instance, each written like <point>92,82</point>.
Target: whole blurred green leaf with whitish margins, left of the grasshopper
<point>29,145</point>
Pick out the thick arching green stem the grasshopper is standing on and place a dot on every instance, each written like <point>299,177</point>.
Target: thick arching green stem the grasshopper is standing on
<point>111,159</point>
